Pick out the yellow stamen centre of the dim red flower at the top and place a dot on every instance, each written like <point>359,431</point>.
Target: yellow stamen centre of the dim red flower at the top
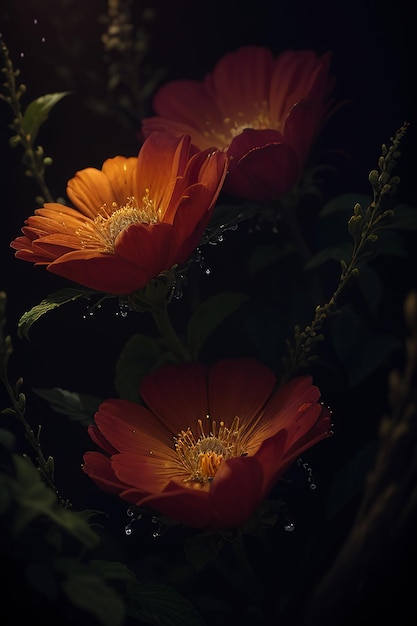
<point>233,126</point>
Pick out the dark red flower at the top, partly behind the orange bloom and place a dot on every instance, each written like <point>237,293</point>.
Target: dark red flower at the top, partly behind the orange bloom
<point>264,112</point>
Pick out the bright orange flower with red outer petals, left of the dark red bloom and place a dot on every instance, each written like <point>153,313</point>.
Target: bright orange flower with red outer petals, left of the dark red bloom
<point>132,219</point>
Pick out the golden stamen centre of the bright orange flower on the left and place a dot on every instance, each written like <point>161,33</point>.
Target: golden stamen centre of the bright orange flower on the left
<point>101,233</point>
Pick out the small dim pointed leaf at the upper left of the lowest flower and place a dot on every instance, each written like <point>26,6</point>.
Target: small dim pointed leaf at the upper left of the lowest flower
<point>79,407</point>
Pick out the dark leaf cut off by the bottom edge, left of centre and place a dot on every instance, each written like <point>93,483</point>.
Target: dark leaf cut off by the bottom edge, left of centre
<point>161,605</point>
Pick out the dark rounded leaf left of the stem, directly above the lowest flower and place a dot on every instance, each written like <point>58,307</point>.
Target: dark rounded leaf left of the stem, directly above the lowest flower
<point>140,355</point>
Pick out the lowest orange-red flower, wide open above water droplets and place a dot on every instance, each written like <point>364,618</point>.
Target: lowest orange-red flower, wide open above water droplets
<point>210,443</point>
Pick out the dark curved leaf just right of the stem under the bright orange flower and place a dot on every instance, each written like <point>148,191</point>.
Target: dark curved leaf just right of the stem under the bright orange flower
<point>209,315</point>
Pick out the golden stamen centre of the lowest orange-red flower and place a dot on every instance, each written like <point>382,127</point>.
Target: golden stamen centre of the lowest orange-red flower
<point>202,456</point>
